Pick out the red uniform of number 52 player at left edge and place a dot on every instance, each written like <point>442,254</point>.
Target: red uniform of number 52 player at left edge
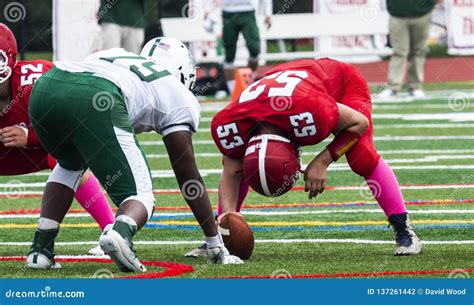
<point>16,161</point>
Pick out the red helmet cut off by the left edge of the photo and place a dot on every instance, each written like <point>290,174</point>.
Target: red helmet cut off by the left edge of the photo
<point>8,52</point>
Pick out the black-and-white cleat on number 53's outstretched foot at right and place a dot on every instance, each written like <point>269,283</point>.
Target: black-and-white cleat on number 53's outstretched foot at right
<point>407,241</point>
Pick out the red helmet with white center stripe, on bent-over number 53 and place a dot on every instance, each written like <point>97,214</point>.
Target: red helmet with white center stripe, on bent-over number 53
<point>271,164</point>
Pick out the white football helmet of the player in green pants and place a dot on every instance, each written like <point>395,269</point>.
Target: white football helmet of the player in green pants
<point>174,56</point>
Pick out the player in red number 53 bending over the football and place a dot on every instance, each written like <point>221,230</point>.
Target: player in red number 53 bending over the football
<point>296,104</point>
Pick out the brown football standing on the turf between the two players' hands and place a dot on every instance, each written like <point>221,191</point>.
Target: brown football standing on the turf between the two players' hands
<point>237,235</point>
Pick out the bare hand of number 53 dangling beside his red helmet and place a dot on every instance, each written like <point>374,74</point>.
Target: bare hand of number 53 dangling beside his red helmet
<point>315,175</point>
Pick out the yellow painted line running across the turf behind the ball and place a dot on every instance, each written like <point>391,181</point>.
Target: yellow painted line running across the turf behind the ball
<point>306,223</point>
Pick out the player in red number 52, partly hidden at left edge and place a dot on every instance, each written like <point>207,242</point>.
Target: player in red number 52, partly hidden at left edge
<point>20,150</point>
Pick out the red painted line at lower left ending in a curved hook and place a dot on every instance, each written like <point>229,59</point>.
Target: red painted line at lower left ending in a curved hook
<point>171,269</point>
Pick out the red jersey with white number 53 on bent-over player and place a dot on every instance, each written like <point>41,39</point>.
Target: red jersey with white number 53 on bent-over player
<point>298,97</point>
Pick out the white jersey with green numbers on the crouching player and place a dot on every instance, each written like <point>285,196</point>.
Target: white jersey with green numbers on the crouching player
<point>156,100</point>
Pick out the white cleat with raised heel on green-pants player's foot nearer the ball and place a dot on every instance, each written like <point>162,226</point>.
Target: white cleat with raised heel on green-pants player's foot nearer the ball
<point>120,251</point>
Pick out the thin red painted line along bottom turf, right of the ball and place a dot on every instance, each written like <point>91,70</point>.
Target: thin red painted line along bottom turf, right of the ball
<point>348,275</point>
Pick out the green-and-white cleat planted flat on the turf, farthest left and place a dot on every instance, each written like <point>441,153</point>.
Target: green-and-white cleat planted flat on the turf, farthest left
<point>41,254</point>
